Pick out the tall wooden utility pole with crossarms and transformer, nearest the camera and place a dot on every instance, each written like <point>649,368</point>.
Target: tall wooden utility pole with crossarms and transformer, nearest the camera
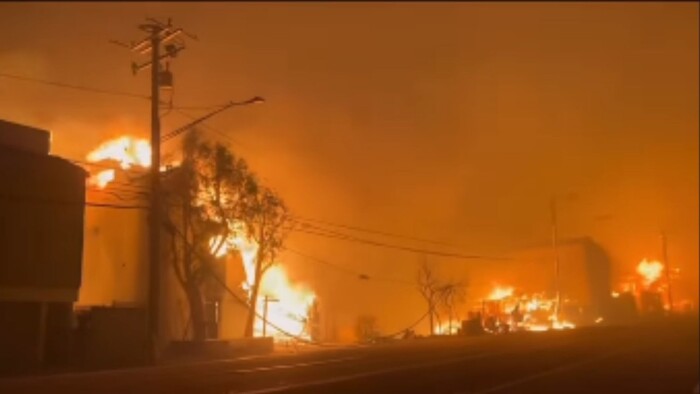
<point>158,34</point>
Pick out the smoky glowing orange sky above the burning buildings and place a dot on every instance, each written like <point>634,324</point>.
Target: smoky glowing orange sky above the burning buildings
<point>452,121</point>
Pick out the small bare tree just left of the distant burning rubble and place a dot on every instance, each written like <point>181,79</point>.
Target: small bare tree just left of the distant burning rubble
<point>438,294</point>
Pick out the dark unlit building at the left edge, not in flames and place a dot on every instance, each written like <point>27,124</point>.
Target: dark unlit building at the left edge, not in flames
<point>42,205</point>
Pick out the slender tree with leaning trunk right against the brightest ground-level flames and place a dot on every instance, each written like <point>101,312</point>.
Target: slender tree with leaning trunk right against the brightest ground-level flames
<point>267,218</point>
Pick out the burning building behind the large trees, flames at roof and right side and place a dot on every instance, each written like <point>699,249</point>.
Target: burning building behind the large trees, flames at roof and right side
<point>116,256</point>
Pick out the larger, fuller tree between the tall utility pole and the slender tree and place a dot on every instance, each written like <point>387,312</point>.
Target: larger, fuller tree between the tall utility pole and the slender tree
<point>209,191</point>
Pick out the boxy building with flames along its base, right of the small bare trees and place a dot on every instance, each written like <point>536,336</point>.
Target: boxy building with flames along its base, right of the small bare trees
<point>527,285</point>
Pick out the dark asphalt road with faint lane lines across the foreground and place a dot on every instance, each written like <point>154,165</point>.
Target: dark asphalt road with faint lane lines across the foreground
<point>656,357</point>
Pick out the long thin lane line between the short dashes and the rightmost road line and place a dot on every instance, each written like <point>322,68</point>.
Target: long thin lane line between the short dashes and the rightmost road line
<point>346,378</point>
